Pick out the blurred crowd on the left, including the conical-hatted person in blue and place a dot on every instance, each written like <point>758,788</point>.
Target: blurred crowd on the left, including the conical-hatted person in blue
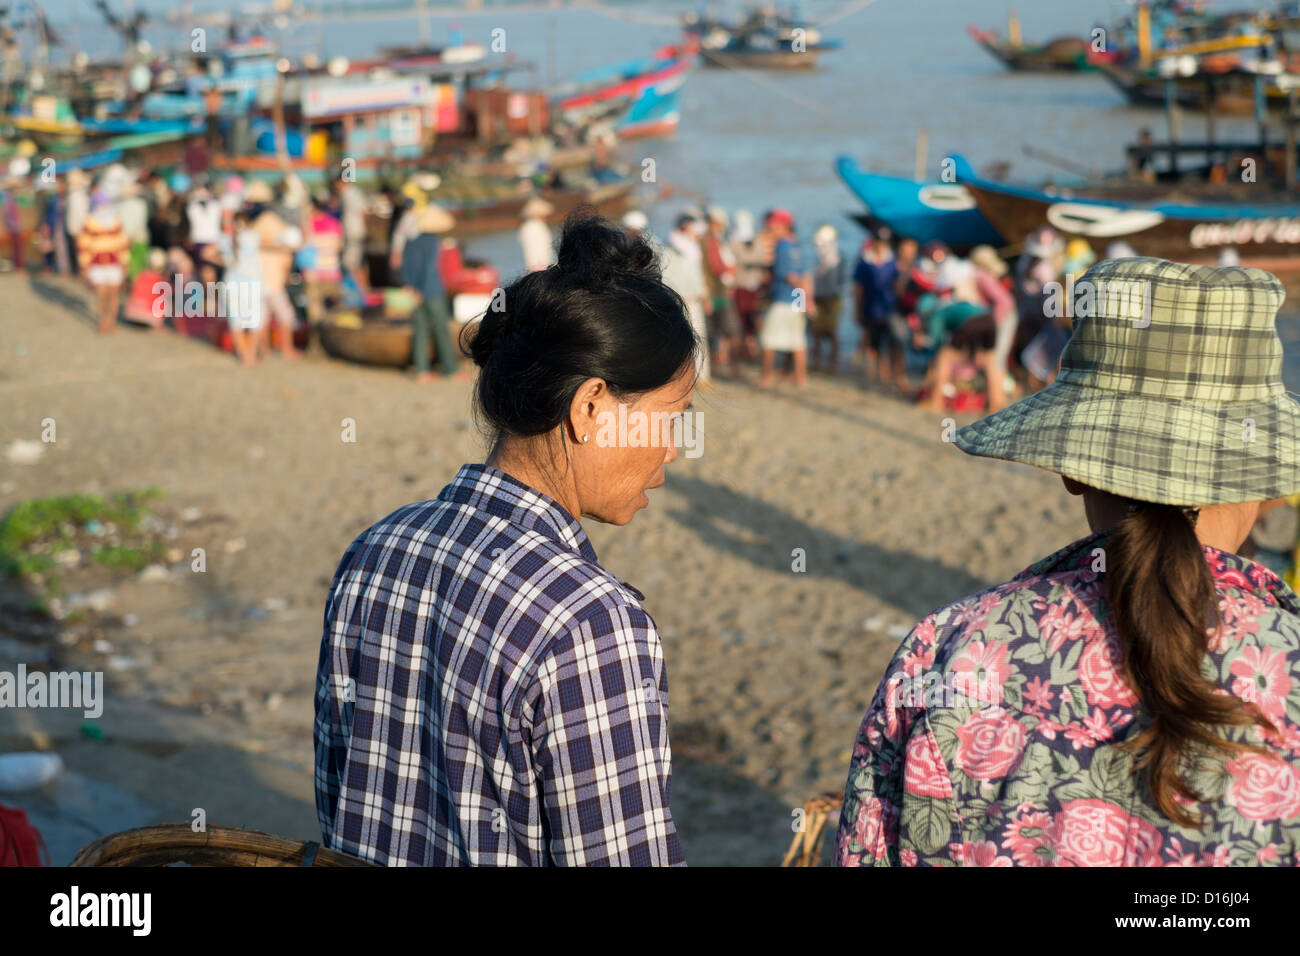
<point>177,250</point>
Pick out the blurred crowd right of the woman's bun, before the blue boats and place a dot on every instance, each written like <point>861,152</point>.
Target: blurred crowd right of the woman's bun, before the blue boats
<point>954,332</point>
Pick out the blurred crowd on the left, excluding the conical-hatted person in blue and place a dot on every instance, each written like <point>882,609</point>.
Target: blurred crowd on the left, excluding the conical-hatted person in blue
<point>172,249</point>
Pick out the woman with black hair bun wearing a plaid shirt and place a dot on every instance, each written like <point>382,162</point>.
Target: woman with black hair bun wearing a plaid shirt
<point>488,693</point>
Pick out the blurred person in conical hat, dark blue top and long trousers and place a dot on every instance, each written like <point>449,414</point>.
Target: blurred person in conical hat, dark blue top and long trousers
<point>422,276</point>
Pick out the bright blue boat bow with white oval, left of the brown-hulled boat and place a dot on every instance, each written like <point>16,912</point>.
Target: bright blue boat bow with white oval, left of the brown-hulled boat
<point>924,211</point>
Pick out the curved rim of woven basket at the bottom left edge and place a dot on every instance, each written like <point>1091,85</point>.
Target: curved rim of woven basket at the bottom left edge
<point>218,846</point>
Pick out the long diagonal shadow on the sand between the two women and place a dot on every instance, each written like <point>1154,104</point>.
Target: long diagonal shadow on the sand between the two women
<point>722,517</point>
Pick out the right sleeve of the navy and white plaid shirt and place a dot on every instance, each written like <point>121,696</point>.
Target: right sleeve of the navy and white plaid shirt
<point>600,746</point>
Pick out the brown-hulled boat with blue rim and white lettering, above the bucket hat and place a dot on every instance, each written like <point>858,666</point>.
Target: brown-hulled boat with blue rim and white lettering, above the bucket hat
<point>1194,231</point>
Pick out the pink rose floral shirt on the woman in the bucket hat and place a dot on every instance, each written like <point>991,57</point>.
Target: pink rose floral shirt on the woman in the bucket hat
<point>993,738</point>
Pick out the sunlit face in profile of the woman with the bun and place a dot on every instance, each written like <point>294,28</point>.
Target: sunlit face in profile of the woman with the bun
<point>634,443</point>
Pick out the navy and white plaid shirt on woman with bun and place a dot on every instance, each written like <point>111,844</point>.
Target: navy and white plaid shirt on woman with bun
<point>488,694</point>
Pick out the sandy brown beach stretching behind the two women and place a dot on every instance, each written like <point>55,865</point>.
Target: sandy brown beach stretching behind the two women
<point>770,669</point>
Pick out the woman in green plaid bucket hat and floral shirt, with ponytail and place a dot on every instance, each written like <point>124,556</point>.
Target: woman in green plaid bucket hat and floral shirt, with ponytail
<point>1133,699</point>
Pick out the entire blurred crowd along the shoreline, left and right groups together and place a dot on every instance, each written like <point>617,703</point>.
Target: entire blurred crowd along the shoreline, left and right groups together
<point>955,332</point>
